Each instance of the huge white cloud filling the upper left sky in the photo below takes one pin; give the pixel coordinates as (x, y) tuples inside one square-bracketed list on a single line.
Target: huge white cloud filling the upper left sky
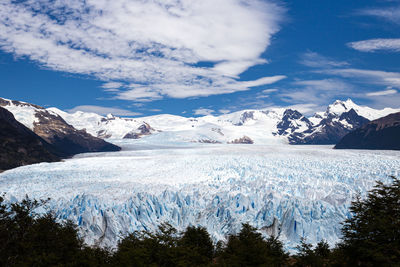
[(155, 44)]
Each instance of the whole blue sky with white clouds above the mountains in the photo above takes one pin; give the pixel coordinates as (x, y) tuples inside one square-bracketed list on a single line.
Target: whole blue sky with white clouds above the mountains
[(195, 58)]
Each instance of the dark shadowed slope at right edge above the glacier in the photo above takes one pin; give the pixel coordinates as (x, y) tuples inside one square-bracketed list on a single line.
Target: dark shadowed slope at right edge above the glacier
[(383, 133)]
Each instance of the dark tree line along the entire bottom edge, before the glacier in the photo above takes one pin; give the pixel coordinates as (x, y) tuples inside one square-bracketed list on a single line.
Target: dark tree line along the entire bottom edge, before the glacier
[(370, 238)]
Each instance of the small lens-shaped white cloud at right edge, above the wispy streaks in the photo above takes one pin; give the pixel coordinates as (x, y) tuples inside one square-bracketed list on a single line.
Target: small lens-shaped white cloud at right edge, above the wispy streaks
[(376, 44)]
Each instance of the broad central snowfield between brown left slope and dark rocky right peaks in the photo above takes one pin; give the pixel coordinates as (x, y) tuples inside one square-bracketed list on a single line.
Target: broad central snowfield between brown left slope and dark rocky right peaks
[(221, 129)]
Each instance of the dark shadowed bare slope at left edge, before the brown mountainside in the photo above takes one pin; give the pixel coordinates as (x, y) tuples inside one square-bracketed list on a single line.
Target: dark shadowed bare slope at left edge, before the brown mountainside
[(20, 146)]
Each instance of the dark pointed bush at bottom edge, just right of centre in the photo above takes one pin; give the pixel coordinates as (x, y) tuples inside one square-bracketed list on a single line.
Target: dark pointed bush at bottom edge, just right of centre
[(249, 248)]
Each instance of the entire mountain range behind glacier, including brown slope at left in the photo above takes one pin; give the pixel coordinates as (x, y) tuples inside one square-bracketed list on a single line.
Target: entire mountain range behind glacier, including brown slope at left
[(266, 126)]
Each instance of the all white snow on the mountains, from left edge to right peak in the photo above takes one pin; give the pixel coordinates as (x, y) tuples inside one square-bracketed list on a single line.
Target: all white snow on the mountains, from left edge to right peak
[(258, 125)]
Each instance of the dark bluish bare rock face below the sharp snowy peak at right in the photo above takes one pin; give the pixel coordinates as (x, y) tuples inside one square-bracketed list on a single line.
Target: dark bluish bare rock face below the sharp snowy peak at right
[(330, 129)]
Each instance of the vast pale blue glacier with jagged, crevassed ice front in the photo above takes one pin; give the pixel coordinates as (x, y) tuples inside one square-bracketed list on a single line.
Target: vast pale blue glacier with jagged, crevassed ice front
[(286, 191)]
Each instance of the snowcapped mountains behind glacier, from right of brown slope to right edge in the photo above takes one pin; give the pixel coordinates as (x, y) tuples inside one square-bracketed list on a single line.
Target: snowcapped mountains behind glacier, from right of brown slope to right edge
[(276, 125)]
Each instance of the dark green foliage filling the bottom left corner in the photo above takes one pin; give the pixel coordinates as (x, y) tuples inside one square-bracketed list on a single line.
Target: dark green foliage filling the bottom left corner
[(29, 239)]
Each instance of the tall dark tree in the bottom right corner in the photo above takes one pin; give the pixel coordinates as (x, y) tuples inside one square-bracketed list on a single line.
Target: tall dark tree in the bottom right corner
[(371, 237)]
